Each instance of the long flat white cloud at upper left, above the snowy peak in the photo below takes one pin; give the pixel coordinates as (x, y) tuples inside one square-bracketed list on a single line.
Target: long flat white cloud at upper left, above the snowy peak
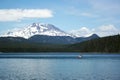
[(18, 14)]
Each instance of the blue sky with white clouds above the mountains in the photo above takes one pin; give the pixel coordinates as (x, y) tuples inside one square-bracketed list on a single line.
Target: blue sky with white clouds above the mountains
[(82, 16)]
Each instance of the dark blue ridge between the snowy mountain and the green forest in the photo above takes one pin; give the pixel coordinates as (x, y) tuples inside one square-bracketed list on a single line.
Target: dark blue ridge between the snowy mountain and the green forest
[(49, 39)]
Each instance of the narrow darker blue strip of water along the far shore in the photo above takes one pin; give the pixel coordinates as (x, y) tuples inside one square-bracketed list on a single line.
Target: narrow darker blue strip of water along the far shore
[(58, 55)]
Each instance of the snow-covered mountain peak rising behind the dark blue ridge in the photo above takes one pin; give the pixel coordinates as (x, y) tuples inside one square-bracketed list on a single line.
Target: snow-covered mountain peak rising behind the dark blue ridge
[(36, 29)]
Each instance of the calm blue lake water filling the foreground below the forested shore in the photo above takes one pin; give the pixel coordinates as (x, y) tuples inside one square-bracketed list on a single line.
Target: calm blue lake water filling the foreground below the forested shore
[(55, 66)]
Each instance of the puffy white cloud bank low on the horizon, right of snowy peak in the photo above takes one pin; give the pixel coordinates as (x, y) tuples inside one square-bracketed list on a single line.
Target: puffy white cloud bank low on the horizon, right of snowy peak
[(104, 30)]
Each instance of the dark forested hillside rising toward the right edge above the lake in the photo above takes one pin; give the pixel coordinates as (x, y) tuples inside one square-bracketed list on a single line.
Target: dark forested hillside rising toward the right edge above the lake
[(105, 44)]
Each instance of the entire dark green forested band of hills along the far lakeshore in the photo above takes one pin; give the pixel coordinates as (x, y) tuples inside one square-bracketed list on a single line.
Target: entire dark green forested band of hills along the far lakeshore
[(105, 44)]
